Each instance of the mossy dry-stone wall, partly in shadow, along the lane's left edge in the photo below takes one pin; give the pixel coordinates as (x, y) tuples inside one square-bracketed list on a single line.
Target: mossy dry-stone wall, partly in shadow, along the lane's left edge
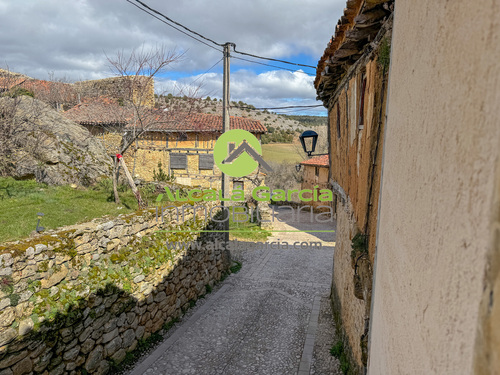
[(75, 300)]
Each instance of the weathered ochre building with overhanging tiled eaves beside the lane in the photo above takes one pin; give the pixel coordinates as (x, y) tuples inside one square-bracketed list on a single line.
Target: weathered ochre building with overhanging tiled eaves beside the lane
[(352, 83)]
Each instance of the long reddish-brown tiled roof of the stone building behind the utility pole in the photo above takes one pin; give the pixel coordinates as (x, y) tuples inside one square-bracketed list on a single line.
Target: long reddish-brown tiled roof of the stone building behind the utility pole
[(106, 111)]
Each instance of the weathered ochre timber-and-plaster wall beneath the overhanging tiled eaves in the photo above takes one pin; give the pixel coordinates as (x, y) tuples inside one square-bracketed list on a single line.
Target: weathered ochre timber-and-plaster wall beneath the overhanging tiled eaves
[(356, 134)]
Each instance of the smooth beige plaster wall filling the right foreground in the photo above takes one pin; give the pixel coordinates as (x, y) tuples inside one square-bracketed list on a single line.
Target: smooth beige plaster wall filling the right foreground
[(438, 211)]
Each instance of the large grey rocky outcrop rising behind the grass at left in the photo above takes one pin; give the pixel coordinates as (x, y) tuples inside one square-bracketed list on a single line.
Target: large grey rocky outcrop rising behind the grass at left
[(43, 144)]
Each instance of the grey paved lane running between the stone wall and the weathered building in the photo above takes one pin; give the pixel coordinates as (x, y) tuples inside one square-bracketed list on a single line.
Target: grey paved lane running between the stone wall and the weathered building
[(262, 320)]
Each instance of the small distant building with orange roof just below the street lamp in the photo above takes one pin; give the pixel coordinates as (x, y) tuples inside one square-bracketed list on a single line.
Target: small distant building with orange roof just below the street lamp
[(315, 176)]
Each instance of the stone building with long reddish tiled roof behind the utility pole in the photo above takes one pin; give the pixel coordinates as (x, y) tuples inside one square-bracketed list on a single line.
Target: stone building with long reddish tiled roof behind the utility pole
[(182, 142)]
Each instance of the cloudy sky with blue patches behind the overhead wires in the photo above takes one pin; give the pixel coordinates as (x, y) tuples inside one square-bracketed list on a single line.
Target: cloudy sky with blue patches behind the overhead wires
[(71, 40)]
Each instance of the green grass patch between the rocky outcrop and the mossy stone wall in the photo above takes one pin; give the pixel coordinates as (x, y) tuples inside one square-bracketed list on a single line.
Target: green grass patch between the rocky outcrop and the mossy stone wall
[(20, 201)]
